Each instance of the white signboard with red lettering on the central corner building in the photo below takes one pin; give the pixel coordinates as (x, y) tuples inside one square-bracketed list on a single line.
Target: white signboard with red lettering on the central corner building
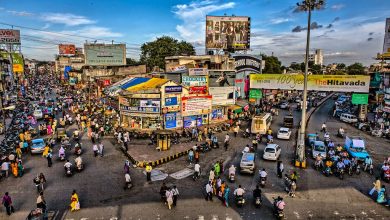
[(196, 105)]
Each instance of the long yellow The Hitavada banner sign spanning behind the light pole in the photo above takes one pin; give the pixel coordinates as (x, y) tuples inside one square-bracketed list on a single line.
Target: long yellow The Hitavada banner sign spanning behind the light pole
[(334, 83)]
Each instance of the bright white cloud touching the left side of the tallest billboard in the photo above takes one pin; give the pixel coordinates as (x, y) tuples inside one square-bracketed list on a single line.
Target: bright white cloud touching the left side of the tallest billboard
[(193, 17)]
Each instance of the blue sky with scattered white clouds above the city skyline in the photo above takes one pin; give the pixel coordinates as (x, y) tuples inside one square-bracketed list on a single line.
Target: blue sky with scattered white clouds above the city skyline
[(347, 31)]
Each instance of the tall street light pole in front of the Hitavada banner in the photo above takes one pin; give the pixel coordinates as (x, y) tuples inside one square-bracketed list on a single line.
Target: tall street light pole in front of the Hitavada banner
[(306, 5)]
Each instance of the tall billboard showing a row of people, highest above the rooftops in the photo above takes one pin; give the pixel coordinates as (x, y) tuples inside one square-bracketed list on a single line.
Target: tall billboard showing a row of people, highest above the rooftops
[(227, 32)]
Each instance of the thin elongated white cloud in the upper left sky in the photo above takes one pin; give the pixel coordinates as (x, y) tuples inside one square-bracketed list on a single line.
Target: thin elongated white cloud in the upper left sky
[(66, 19)]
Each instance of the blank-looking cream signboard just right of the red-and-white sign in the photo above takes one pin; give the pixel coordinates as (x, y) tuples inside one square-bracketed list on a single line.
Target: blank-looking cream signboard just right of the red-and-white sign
[(222, 95)]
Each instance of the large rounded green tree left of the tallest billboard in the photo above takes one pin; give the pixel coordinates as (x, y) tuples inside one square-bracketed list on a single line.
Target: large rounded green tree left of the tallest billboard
[(154, 53)]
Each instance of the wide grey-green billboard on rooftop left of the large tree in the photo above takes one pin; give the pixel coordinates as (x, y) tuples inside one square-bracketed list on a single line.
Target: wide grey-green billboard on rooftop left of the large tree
[(105, 54)]
